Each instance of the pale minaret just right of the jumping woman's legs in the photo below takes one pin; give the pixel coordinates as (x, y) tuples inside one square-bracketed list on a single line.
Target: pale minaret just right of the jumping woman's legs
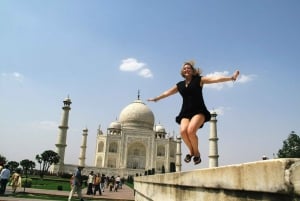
[(213, 142)]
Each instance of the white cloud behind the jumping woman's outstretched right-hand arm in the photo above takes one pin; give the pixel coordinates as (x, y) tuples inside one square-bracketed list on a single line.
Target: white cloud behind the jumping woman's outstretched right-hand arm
[(219, 86)]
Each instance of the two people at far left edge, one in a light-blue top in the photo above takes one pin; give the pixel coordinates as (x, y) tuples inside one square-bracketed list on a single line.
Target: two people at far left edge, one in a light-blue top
[(14, 180)]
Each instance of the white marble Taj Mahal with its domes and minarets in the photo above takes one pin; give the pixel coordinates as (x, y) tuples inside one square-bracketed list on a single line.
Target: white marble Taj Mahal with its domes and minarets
[(131, 145)]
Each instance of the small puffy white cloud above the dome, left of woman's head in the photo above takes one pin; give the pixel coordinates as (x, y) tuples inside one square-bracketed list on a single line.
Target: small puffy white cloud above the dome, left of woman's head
[(133, 65)]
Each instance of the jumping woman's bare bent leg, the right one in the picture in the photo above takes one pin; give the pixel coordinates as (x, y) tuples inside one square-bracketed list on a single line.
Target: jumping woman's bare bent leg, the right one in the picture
[(193, 126)]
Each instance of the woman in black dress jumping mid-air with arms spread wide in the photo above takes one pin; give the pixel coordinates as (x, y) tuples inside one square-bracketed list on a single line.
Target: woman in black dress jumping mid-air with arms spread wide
[(193, 113)]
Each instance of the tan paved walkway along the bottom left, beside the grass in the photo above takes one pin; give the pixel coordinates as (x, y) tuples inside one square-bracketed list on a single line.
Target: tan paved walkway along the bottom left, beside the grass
[(124, 194)]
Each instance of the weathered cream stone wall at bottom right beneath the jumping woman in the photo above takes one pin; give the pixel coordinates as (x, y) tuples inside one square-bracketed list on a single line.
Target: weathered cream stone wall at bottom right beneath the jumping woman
[(267, 180)]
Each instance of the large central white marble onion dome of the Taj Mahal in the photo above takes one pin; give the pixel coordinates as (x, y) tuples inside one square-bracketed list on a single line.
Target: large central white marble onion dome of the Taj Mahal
[(137, 114)]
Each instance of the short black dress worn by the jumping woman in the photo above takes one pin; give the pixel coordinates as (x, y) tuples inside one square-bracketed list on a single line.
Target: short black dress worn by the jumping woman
[(192, 100)]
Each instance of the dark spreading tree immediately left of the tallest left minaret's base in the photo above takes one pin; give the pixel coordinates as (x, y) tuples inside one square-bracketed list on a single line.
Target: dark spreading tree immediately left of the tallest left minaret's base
[(46, 159)]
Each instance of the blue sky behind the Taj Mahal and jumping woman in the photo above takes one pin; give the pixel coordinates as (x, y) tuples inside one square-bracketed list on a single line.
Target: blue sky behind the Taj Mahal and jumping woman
[(100, 53)]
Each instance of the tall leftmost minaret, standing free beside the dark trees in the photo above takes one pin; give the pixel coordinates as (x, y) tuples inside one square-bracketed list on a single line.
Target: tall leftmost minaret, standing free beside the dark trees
[(62, 136)]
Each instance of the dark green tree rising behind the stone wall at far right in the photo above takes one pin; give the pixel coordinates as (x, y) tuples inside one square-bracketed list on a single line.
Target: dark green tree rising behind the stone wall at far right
[(291, 147)]
